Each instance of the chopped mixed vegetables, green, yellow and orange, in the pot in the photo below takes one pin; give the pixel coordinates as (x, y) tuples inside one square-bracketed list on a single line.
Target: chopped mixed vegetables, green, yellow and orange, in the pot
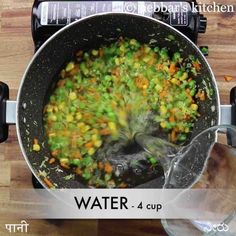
[(99, 92)]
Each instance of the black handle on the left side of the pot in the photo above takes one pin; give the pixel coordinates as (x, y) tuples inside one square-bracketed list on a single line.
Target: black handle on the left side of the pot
[(4, 96)]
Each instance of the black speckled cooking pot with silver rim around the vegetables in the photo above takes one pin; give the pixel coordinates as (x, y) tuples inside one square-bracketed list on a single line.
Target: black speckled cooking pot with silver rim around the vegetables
[(87, 33)]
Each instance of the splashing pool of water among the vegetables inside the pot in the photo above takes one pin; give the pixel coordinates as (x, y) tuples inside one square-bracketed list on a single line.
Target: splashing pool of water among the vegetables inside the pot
[(131, 163)]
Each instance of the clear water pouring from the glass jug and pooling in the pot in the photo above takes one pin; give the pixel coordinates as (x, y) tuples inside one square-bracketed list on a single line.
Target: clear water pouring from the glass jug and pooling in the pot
[(138, 156)]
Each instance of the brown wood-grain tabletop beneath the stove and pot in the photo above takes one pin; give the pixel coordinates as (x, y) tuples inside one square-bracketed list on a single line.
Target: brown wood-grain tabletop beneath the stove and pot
[(16, 50)]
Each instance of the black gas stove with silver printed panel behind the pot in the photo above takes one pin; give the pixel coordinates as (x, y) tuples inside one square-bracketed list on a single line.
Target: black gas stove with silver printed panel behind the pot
[(50, 16)]
